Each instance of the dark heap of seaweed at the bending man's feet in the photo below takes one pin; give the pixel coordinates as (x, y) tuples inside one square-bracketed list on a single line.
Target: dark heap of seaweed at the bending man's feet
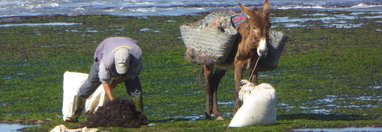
[(117, 113)]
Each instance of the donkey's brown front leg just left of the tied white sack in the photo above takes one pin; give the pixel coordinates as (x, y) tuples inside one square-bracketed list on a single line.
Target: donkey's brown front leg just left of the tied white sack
[(239, 67)]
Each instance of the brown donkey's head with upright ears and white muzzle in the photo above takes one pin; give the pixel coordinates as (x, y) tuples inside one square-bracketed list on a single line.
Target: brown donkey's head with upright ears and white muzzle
[(257, 29)]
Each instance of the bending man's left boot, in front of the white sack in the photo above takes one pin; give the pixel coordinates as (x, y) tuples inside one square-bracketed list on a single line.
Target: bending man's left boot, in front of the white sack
[(78, 107)]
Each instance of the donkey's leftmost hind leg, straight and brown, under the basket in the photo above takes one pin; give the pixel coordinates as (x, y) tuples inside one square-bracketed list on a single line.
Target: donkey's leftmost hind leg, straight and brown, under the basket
[(208, 70)]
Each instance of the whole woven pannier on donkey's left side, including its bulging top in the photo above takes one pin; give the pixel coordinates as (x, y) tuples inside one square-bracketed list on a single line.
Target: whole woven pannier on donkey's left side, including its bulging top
[(209, 40)]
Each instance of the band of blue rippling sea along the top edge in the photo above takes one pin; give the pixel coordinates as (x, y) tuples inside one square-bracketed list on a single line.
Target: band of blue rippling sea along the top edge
[(9, 8)]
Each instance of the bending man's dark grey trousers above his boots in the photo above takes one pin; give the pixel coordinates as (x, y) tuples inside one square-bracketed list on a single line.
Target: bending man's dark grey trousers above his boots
[(133, 86)]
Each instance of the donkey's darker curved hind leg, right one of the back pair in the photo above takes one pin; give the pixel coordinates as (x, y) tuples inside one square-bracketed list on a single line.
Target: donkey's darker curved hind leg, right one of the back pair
[(218, 75)]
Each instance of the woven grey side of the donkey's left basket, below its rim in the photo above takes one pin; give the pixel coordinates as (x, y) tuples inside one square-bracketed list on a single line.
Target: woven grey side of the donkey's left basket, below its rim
[(208, 45)]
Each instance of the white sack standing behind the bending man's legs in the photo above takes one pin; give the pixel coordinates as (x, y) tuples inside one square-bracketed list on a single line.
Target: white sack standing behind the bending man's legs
[(71, 86)]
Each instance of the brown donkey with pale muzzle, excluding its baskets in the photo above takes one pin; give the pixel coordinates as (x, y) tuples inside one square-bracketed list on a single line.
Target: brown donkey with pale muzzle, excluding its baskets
[(249, 46)]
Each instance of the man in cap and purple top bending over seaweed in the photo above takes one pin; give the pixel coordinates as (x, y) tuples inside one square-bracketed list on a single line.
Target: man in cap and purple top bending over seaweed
[(116, 60)]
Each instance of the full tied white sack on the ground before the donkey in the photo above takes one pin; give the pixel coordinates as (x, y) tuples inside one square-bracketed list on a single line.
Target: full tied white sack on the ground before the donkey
[(259, 105)]
